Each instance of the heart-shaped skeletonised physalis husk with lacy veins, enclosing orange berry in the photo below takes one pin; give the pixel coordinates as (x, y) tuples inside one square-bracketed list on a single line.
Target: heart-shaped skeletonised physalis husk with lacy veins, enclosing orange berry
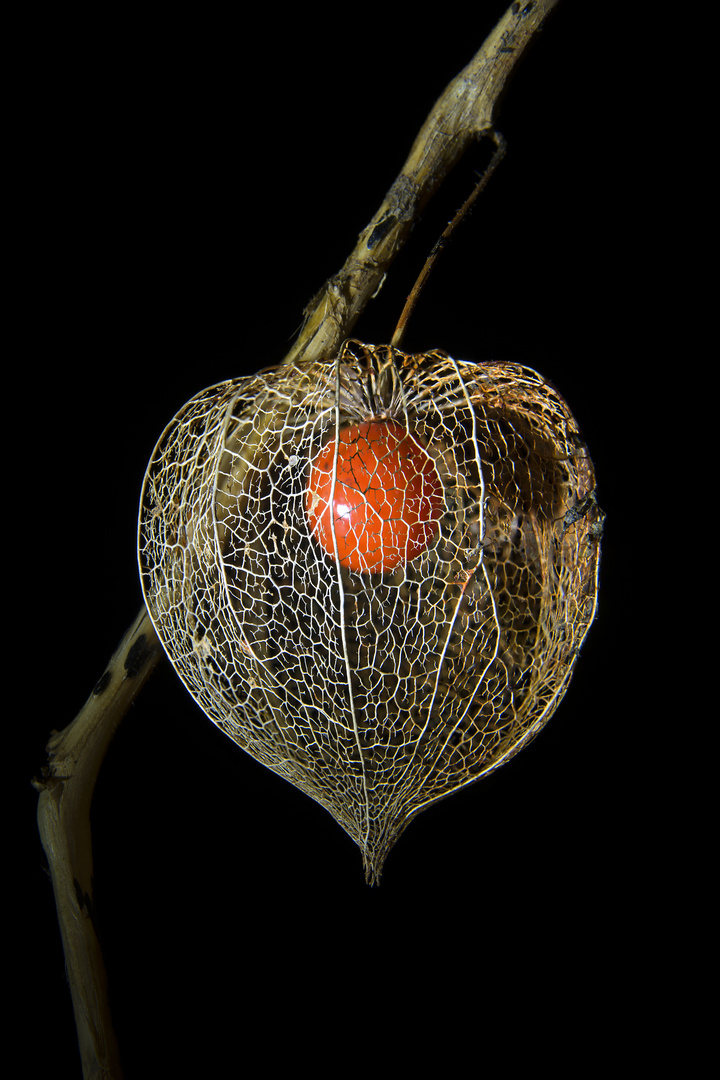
[(374, 573)]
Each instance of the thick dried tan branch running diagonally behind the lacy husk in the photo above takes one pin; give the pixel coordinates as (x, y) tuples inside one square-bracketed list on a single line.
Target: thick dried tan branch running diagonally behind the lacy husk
[(465, 113)]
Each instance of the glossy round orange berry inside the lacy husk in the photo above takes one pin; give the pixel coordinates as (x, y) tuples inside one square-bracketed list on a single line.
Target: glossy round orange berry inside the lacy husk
[(388, 497)]
